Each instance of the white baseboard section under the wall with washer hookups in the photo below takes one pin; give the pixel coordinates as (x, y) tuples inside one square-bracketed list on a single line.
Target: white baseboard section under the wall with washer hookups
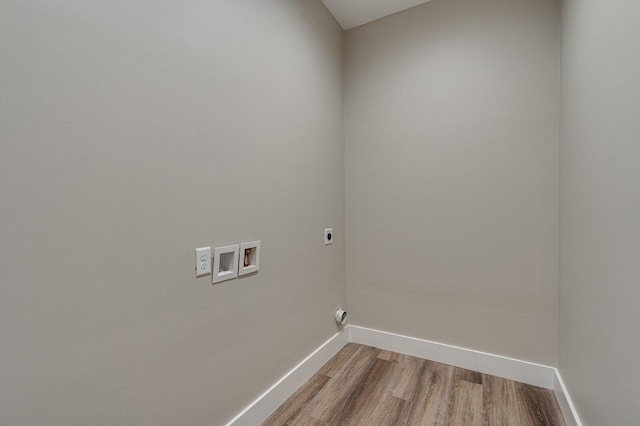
[(276, 395)]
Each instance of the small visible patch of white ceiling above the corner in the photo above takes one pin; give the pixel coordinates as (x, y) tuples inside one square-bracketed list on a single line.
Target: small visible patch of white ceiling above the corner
[(351, 13)]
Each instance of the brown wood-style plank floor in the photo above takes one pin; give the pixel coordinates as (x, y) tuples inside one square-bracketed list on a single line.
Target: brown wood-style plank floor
[(368, 386)]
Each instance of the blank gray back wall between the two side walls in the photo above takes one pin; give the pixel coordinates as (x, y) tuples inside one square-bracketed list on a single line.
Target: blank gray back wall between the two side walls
[(452, 174)]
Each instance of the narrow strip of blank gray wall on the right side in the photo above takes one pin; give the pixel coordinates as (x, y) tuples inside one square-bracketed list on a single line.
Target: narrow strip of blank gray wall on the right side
[(600, 209)]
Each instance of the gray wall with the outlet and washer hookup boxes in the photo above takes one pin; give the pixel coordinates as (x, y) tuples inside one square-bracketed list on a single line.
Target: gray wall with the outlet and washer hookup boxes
[(132, 133)]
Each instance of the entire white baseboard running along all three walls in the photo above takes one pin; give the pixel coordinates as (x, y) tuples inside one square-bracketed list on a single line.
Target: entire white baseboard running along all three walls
[(497, 365)]
